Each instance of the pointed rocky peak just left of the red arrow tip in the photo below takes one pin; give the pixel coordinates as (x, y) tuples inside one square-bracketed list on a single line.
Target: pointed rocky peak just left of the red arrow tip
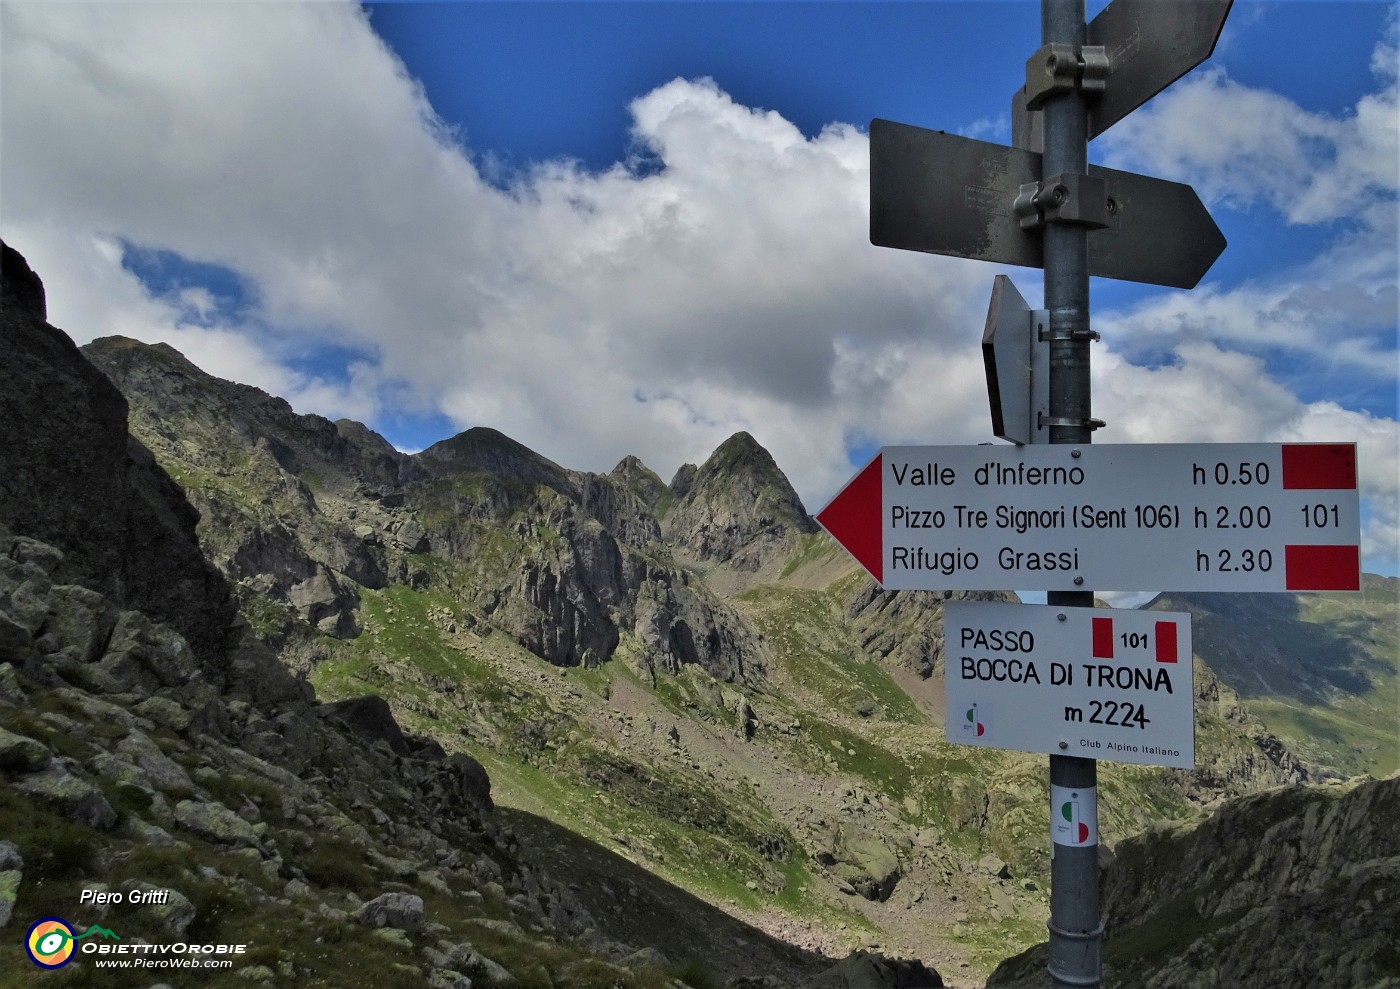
[(737, 509)]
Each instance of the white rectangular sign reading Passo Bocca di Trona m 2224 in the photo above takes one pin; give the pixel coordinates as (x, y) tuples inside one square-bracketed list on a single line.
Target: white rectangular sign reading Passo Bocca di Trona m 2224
[(1072, 682)]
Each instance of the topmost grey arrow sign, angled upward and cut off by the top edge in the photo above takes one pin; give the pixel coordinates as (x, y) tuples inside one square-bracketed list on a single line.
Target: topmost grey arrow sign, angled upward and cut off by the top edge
[(1150, 46)]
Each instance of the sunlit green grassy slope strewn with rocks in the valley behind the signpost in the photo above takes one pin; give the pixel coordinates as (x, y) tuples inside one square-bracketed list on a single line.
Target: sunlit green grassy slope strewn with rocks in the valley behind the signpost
[(590, 752)]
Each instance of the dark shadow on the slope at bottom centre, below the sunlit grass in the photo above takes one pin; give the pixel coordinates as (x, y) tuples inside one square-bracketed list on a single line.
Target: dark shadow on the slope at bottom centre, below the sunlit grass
[(639, 908)]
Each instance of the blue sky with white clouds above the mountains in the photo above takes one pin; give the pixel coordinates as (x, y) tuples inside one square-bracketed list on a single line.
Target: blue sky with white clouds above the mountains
[(618, 229)]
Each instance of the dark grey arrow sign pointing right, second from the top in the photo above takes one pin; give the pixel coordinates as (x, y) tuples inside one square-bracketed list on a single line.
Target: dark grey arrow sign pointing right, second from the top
[(943, 194)]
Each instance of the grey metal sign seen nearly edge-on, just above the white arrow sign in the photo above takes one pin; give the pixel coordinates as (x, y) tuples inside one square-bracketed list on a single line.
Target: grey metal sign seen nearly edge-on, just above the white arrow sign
[(1017, 364)]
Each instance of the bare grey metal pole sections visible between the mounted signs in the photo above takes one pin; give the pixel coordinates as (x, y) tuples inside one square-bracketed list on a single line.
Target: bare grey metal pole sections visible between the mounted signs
[(1076, 931)]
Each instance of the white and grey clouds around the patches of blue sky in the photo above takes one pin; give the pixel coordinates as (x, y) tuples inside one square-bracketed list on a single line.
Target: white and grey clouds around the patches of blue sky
[(589, 314)]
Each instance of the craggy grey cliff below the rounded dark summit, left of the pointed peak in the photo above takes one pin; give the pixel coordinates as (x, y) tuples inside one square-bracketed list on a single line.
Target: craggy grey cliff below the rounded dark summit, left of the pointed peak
[(568, 561)]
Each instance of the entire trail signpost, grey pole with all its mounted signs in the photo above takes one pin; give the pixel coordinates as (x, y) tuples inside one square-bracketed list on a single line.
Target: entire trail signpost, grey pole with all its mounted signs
[(1070, 516)]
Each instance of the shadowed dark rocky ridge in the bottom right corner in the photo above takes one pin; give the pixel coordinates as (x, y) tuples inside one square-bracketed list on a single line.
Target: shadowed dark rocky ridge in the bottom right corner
[(1289, 887)]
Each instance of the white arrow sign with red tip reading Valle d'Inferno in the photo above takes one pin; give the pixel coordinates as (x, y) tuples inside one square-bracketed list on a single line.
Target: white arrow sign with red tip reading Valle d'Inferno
[(1184, 518)]
